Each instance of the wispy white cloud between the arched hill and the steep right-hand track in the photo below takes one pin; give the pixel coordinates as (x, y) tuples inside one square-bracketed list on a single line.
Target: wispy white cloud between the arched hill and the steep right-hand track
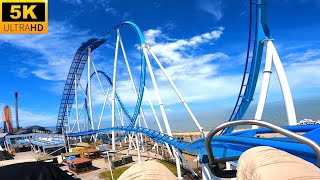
[(195, 74)]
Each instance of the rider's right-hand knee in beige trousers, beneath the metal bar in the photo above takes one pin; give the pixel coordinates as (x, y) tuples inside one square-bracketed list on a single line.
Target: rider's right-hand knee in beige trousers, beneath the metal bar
[(267, 163)]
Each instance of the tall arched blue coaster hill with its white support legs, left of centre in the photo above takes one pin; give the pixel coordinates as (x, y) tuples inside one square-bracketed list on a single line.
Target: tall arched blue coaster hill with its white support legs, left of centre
[(77, 117)]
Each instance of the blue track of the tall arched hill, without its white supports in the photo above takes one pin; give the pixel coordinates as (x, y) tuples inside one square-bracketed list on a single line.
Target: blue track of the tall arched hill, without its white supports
[(77, 67)]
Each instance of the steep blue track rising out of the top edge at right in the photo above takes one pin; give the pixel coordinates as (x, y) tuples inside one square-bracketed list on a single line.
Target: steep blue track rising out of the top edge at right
[(259, 29)]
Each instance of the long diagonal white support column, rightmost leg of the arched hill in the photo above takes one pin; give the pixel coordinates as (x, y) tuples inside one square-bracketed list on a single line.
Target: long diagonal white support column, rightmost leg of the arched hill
[(177, 92)]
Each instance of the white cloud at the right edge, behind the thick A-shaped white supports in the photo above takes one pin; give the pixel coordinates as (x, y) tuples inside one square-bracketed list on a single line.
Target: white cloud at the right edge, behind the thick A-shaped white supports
[(301, 68)]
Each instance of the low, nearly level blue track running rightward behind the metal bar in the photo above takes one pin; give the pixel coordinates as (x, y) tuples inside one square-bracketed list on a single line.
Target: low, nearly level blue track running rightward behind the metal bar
[(230, 145)]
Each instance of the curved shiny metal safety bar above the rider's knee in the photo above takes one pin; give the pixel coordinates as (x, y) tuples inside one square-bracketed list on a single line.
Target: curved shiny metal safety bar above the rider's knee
[(213, 164)]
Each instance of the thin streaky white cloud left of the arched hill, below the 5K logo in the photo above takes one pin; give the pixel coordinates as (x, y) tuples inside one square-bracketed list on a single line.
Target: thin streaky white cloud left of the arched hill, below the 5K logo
[(56, 50)]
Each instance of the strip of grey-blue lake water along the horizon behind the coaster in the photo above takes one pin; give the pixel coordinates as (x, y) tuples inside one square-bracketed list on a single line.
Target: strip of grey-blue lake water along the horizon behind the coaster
[(274, 113)]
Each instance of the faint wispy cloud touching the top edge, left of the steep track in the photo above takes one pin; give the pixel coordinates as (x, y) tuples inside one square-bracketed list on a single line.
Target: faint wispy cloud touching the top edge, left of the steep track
[(212, 7)]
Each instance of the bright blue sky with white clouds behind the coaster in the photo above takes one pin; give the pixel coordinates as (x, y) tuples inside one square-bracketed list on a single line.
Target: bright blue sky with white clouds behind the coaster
[(206, 70)]
